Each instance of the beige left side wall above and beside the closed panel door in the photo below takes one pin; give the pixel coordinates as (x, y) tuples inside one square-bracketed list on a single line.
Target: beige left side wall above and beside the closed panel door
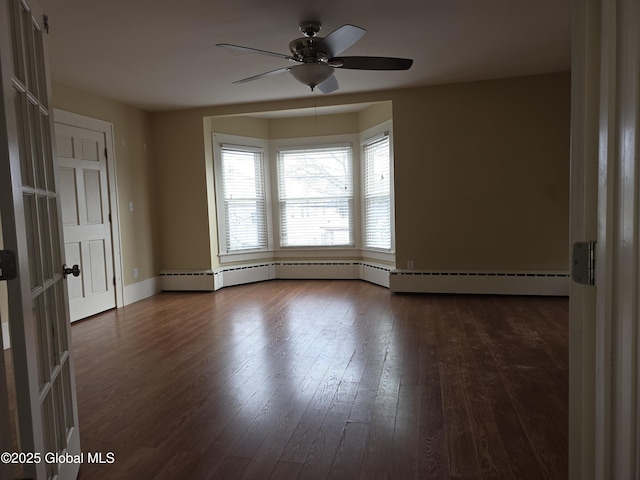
[(135, 167)]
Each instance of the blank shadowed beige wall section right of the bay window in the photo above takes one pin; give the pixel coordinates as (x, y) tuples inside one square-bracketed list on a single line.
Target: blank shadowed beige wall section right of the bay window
[(482, 175)]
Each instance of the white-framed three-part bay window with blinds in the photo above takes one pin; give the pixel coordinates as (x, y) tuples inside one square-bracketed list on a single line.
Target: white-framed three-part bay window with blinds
[(297, 197)]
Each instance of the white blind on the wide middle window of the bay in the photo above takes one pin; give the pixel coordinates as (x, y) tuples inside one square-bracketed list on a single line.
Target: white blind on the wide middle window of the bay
[(315, 187)]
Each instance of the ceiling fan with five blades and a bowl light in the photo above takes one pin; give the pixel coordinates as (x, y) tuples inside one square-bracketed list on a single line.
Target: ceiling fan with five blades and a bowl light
[(318, 57)]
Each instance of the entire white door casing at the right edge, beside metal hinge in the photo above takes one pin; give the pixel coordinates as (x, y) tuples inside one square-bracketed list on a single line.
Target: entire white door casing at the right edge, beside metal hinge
[(604, 334)]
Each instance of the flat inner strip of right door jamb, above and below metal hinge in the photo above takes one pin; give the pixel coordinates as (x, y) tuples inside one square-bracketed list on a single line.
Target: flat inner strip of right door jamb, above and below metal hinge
[(585, 90)]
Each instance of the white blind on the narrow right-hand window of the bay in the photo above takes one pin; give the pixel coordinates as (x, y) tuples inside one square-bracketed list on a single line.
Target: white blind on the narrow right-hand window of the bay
[(377, 192)]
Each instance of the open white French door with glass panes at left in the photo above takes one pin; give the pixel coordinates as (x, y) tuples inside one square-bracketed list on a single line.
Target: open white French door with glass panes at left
[(39, 325)]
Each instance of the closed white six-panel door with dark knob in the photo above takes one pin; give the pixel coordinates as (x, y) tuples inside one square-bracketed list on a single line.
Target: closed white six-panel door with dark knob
[(84, 196)]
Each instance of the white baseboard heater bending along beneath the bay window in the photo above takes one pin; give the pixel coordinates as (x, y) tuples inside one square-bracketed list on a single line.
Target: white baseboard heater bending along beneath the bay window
[(208, 280)]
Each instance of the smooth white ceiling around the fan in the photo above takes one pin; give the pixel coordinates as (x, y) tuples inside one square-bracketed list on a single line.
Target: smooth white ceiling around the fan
[(161, 54)]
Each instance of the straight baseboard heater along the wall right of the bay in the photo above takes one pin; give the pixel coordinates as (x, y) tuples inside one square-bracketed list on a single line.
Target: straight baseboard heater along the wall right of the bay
[(499, 283)]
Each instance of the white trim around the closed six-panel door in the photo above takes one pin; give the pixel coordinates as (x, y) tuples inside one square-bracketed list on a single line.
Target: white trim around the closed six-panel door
[(82, 121)]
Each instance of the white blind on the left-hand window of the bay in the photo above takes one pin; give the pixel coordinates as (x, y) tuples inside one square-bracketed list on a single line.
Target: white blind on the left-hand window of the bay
[(244, 198)]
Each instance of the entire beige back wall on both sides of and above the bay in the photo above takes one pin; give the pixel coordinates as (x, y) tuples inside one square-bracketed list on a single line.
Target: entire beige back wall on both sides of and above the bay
[(482, 174)]
